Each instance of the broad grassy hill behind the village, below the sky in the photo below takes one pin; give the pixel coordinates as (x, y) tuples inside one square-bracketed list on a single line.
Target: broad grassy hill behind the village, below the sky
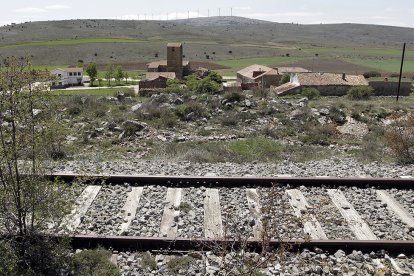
[(226, 40)]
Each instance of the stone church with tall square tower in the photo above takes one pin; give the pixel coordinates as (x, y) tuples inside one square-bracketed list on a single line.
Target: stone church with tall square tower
[(174, 62)]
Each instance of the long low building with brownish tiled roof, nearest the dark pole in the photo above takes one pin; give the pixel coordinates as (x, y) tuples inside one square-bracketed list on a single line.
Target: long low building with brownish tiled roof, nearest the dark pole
[(328, 84)]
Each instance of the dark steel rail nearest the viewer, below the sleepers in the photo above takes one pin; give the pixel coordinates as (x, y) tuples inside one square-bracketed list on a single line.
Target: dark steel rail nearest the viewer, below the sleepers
[(183, 244)]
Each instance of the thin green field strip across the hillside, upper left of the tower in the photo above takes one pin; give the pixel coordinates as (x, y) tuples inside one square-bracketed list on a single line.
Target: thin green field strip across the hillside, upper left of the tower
[(65, 42)]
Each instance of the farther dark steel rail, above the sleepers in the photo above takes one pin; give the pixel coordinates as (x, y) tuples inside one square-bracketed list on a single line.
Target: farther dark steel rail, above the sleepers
[(213, 181)]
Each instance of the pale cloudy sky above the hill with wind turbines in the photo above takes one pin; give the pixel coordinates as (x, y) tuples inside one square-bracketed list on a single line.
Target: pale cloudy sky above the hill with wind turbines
[(395, 13)]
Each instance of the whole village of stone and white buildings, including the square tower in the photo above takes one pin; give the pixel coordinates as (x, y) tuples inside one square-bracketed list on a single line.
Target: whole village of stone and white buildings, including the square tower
[(279, 80)]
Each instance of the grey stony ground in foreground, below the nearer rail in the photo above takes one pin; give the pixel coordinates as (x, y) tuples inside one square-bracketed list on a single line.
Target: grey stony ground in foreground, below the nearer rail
[(307, 262)]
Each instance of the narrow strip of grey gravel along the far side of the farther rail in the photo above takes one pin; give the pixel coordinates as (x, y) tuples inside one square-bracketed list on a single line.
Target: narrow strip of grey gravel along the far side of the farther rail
[(328, 167)]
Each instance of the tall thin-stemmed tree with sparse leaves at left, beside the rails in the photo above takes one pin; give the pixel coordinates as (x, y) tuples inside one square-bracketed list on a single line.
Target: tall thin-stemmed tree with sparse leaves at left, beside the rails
[(29, 202)]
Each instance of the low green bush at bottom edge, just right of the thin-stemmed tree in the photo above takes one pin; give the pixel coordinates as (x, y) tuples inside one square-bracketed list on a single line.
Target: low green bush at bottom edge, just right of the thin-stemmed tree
[(94, 262)]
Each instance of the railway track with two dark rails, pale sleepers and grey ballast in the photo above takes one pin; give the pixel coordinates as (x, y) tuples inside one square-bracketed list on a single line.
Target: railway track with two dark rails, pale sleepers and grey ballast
[(170, 214)]
